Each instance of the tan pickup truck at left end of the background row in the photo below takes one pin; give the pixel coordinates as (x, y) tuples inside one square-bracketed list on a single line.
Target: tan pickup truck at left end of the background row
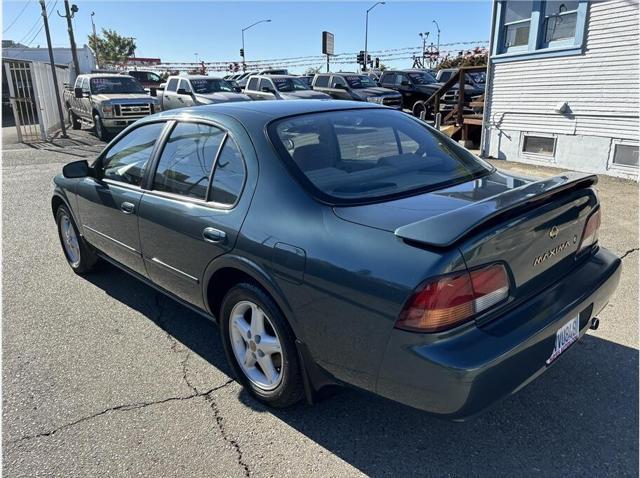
[(107, 102)]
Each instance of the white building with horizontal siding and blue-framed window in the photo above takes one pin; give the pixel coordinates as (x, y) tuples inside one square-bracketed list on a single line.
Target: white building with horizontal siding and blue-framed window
[(563, 85)]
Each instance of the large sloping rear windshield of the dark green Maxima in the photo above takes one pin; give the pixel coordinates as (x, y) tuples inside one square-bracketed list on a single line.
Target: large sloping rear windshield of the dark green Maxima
[(365, 155)]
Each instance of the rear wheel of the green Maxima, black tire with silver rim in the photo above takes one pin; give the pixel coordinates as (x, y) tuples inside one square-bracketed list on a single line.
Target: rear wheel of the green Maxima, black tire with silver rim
[(260, 346)]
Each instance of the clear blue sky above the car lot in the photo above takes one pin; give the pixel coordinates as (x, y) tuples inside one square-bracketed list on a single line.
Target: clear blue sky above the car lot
[(176, 30)]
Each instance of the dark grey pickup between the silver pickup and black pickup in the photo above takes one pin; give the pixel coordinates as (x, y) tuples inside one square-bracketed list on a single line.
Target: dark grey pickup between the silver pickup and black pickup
[(356, 87)]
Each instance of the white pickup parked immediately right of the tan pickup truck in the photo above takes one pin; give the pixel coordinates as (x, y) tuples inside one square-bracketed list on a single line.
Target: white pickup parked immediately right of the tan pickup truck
[(194, 90)]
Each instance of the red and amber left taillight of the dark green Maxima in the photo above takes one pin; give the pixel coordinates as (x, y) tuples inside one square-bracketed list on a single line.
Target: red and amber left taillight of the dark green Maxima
[(453, 299)]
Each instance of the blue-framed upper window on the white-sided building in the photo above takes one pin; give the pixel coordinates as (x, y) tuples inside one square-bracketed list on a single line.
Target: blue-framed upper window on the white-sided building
[(538, 28)]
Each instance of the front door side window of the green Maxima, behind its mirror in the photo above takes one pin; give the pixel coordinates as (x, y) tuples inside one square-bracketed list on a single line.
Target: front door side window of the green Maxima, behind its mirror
[(126, 160)]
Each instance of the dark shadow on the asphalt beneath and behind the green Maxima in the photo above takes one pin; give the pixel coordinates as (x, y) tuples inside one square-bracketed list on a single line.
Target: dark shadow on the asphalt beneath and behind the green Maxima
[(578, 419)]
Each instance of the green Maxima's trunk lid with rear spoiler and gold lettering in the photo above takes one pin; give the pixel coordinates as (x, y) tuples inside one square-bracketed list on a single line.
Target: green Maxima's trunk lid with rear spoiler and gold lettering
[(533, 227)]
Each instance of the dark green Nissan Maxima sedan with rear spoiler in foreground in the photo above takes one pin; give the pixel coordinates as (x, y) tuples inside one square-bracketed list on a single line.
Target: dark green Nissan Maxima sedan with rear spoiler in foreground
[(370, 249)]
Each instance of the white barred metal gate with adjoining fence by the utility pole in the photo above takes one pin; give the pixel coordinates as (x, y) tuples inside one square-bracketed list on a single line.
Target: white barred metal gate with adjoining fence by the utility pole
[(33, 100)]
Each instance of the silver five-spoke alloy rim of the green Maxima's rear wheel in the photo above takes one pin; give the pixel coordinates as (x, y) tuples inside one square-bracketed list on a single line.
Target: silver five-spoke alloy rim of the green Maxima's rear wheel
[(256, 345)]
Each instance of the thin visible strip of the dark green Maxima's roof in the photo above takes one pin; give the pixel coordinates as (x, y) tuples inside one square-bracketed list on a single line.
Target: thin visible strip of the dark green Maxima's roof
[(266, 110)]
